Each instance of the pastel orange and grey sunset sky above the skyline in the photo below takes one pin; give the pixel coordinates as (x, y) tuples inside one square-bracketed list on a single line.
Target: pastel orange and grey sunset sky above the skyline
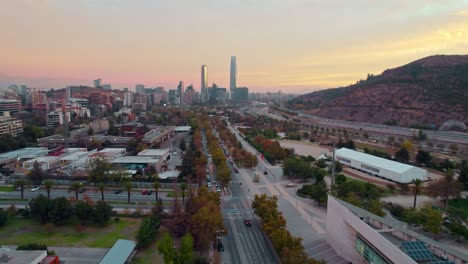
[(295, 46)]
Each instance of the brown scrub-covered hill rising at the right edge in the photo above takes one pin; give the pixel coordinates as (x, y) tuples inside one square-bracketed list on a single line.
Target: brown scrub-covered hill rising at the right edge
[(426, 92)]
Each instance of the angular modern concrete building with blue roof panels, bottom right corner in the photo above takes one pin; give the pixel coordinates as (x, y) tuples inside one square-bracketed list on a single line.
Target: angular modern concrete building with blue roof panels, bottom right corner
[(359, 236)]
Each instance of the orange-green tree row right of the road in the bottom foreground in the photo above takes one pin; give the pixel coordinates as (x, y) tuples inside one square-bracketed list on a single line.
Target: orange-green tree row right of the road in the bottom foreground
[(289, 248)]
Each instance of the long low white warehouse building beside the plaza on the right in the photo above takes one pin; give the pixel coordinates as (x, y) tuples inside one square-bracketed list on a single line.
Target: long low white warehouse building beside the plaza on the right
[(380, 167)]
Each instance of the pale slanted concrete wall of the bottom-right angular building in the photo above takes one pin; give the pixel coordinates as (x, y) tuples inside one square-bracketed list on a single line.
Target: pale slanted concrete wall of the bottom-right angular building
[(342, 228)]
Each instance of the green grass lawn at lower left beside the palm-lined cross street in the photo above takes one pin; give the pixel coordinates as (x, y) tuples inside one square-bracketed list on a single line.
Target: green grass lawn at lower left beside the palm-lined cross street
[(21, 231)]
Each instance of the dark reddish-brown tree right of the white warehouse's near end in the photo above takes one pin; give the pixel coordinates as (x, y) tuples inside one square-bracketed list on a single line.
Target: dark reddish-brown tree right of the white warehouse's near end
[(445, 188)]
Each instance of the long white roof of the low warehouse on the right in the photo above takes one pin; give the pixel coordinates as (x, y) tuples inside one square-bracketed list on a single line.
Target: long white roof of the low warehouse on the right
[(382, 163)]
